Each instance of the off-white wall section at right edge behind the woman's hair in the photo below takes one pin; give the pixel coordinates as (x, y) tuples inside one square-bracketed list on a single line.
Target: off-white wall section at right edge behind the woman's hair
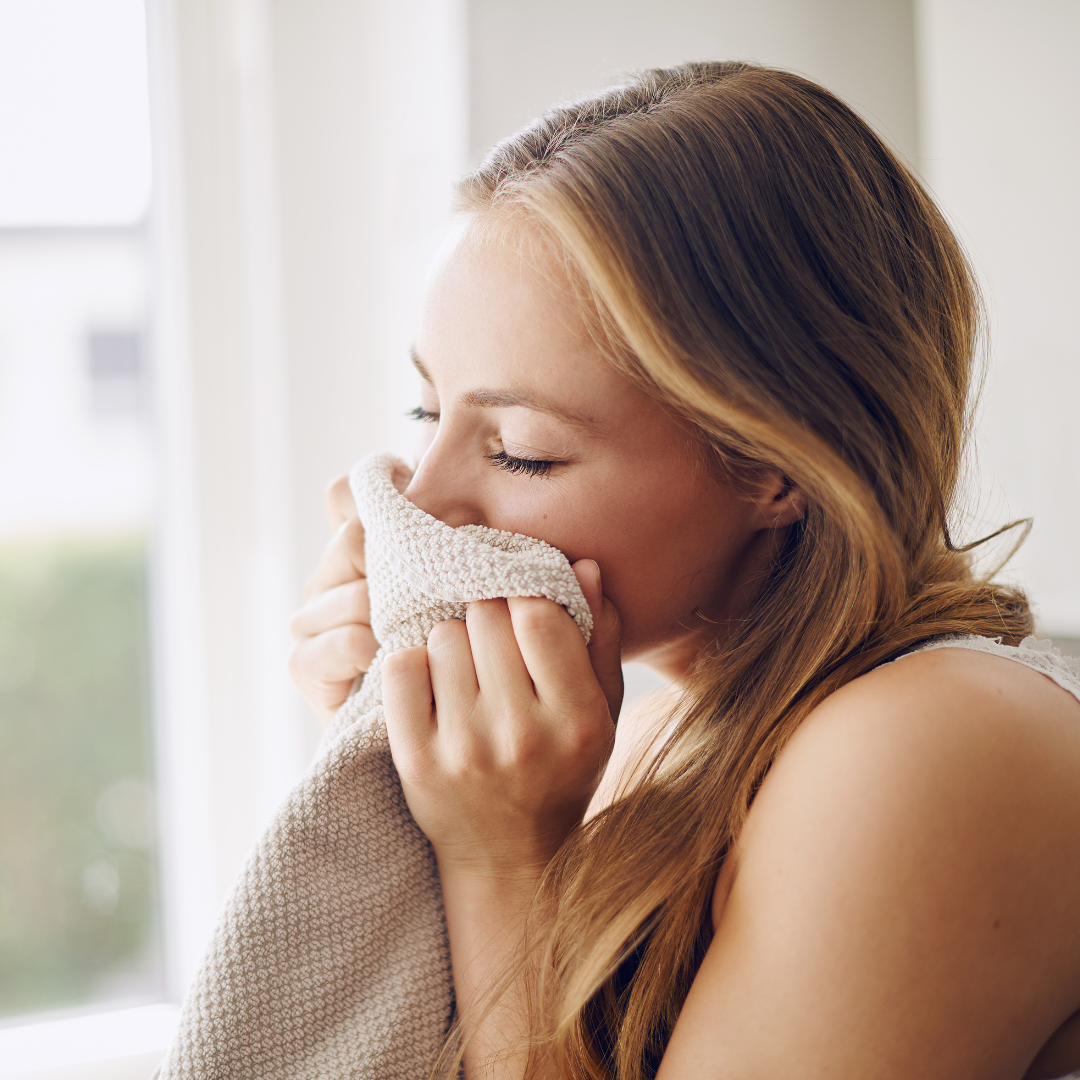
[(1002, 151)]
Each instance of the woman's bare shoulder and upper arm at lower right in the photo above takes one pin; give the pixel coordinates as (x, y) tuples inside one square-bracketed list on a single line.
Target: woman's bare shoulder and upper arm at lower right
[(907, 887)]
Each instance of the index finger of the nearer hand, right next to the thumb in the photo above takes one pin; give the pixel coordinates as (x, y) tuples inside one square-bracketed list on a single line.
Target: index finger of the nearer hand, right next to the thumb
[(553, 651)]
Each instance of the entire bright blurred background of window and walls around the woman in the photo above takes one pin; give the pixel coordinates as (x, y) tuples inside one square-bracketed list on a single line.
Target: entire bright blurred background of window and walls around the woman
[(215, 219)]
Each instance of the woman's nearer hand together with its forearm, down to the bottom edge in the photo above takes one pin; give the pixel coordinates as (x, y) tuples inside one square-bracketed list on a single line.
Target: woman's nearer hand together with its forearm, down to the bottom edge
[(501, 728)]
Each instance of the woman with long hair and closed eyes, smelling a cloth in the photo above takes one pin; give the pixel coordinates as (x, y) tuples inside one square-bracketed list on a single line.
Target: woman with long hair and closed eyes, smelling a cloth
[(707, 335)]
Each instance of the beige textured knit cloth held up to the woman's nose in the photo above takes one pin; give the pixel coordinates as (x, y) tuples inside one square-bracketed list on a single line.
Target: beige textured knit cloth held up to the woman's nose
[(331, 958)]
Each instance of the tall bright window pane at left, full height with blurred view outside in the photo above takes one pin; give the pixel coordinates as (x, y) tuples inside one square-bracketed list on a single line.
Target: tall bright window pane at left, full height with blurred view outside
[(79, 921)]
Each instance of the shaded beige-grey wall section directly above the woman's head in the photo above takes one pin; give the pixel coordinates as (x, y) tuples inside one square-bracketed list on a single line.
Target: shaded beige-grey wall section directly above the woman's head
[(525, 56)]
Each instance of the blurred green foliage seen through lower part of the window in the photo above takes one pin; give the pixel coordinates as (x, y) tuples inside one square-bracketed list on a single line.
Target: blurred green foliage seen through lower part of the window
[(78, 876)]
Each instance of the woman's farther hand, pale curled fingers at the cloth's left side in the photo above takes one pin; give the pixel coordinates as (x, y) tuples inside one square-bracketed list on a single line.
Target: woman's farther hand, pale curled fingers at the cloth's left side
[(332, 633)]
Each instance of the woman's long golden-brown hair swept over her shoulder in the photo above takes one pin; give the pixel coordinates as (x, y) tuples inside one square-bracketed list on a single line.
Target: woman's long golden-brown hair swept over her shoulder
[(759, 261)]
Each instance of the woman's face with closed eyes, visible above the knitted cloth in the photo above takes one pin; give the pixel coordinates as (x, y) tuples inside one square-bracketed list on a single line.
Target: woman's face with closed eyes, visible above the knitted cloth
[(533, 431)]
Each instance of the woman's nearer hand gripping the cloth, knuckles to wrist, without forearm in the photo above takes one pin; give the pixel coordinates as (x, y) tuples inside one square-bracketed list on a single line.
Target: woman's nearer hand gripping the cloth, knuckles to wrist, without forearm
[(501, 728)]
